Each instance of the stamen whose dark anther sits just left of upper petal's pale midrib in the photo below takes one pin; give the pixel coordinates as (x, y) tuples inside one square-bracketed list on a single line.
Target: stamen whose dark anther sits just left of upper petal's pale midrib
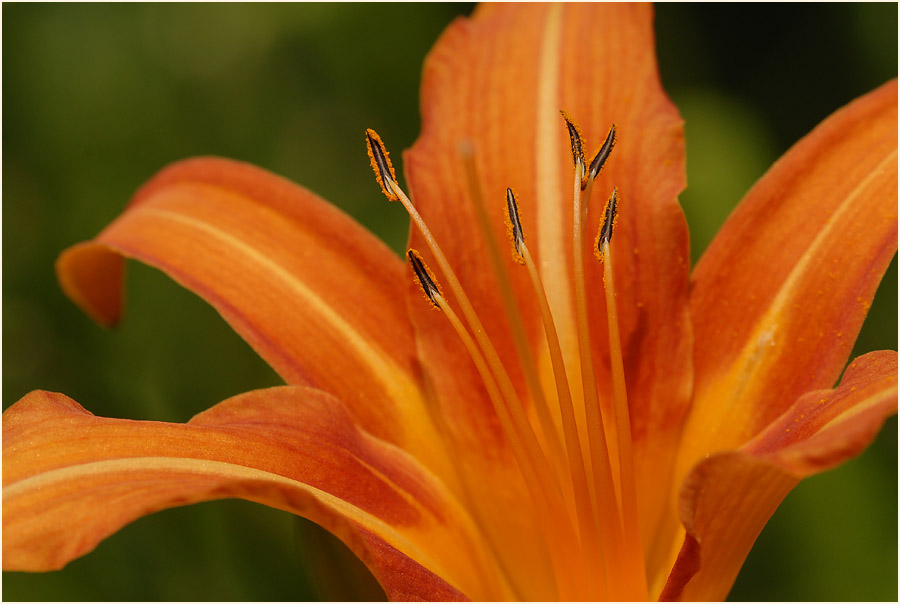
[(584, 506)]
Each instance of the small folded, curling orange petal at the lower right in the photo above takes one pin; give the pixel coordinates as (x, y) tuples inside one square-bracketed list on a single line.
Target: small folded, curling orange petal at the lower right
[(727, 498)]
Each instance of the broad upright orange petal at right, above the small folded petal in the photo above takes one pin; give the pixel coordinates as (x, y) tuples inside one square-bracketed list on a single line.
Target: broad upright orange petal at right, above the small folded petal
[(781, 293)]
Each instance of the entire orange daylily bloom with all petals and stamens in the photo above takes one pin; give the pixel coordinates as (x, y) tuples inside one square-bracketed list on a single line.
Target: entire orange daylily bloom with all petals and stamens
[(574, 428)]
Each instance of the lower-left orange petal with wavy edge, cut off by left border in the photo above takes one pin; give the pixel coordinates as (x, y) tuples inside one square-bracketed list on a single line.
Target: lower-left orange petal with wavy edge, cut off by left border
[(71, 479)]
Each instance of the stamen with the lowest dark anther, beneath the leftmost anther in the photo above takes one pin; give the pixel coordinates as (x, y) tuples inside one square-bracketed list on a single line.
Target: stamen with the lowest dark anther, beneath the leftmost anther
[(563, 561)]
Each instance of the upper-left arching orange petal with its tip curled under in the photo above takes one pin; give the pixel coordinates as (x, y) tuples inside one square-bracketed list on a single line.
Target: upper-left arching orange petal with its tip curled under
[(315, 294)]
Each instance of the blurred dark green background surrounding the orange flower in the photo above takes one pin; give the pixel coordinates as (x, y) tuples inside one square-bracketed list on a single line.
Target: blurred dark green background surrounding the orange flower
[(96, 98)]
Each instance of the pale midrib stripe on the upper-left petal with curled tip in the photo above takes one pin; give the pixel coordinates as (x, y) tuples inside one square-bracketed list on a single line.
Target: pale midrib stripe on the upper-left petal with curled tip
[(394, 380)]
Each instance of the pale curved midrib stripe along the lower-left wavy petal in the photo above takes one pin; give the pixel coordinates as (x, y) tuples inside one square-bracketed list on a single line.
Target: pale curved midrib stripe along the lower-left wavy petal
[(225, 471)]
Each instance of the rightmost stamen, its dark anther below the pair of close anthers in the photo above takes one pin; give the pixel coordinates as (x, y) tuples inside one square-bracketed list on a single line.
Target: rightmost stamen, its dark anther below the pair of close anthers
[(620, 398)]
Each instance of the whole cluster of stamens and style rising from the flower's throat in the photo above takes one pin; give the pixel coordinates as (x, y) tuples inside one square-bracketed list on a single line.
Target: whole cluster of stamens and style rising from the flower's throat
[(588, 496)]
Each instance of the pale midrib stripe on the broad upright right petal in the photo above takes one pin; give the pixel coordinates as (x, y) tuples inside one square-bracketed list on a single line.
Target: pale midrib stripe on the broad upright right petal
[(754, 358)]
